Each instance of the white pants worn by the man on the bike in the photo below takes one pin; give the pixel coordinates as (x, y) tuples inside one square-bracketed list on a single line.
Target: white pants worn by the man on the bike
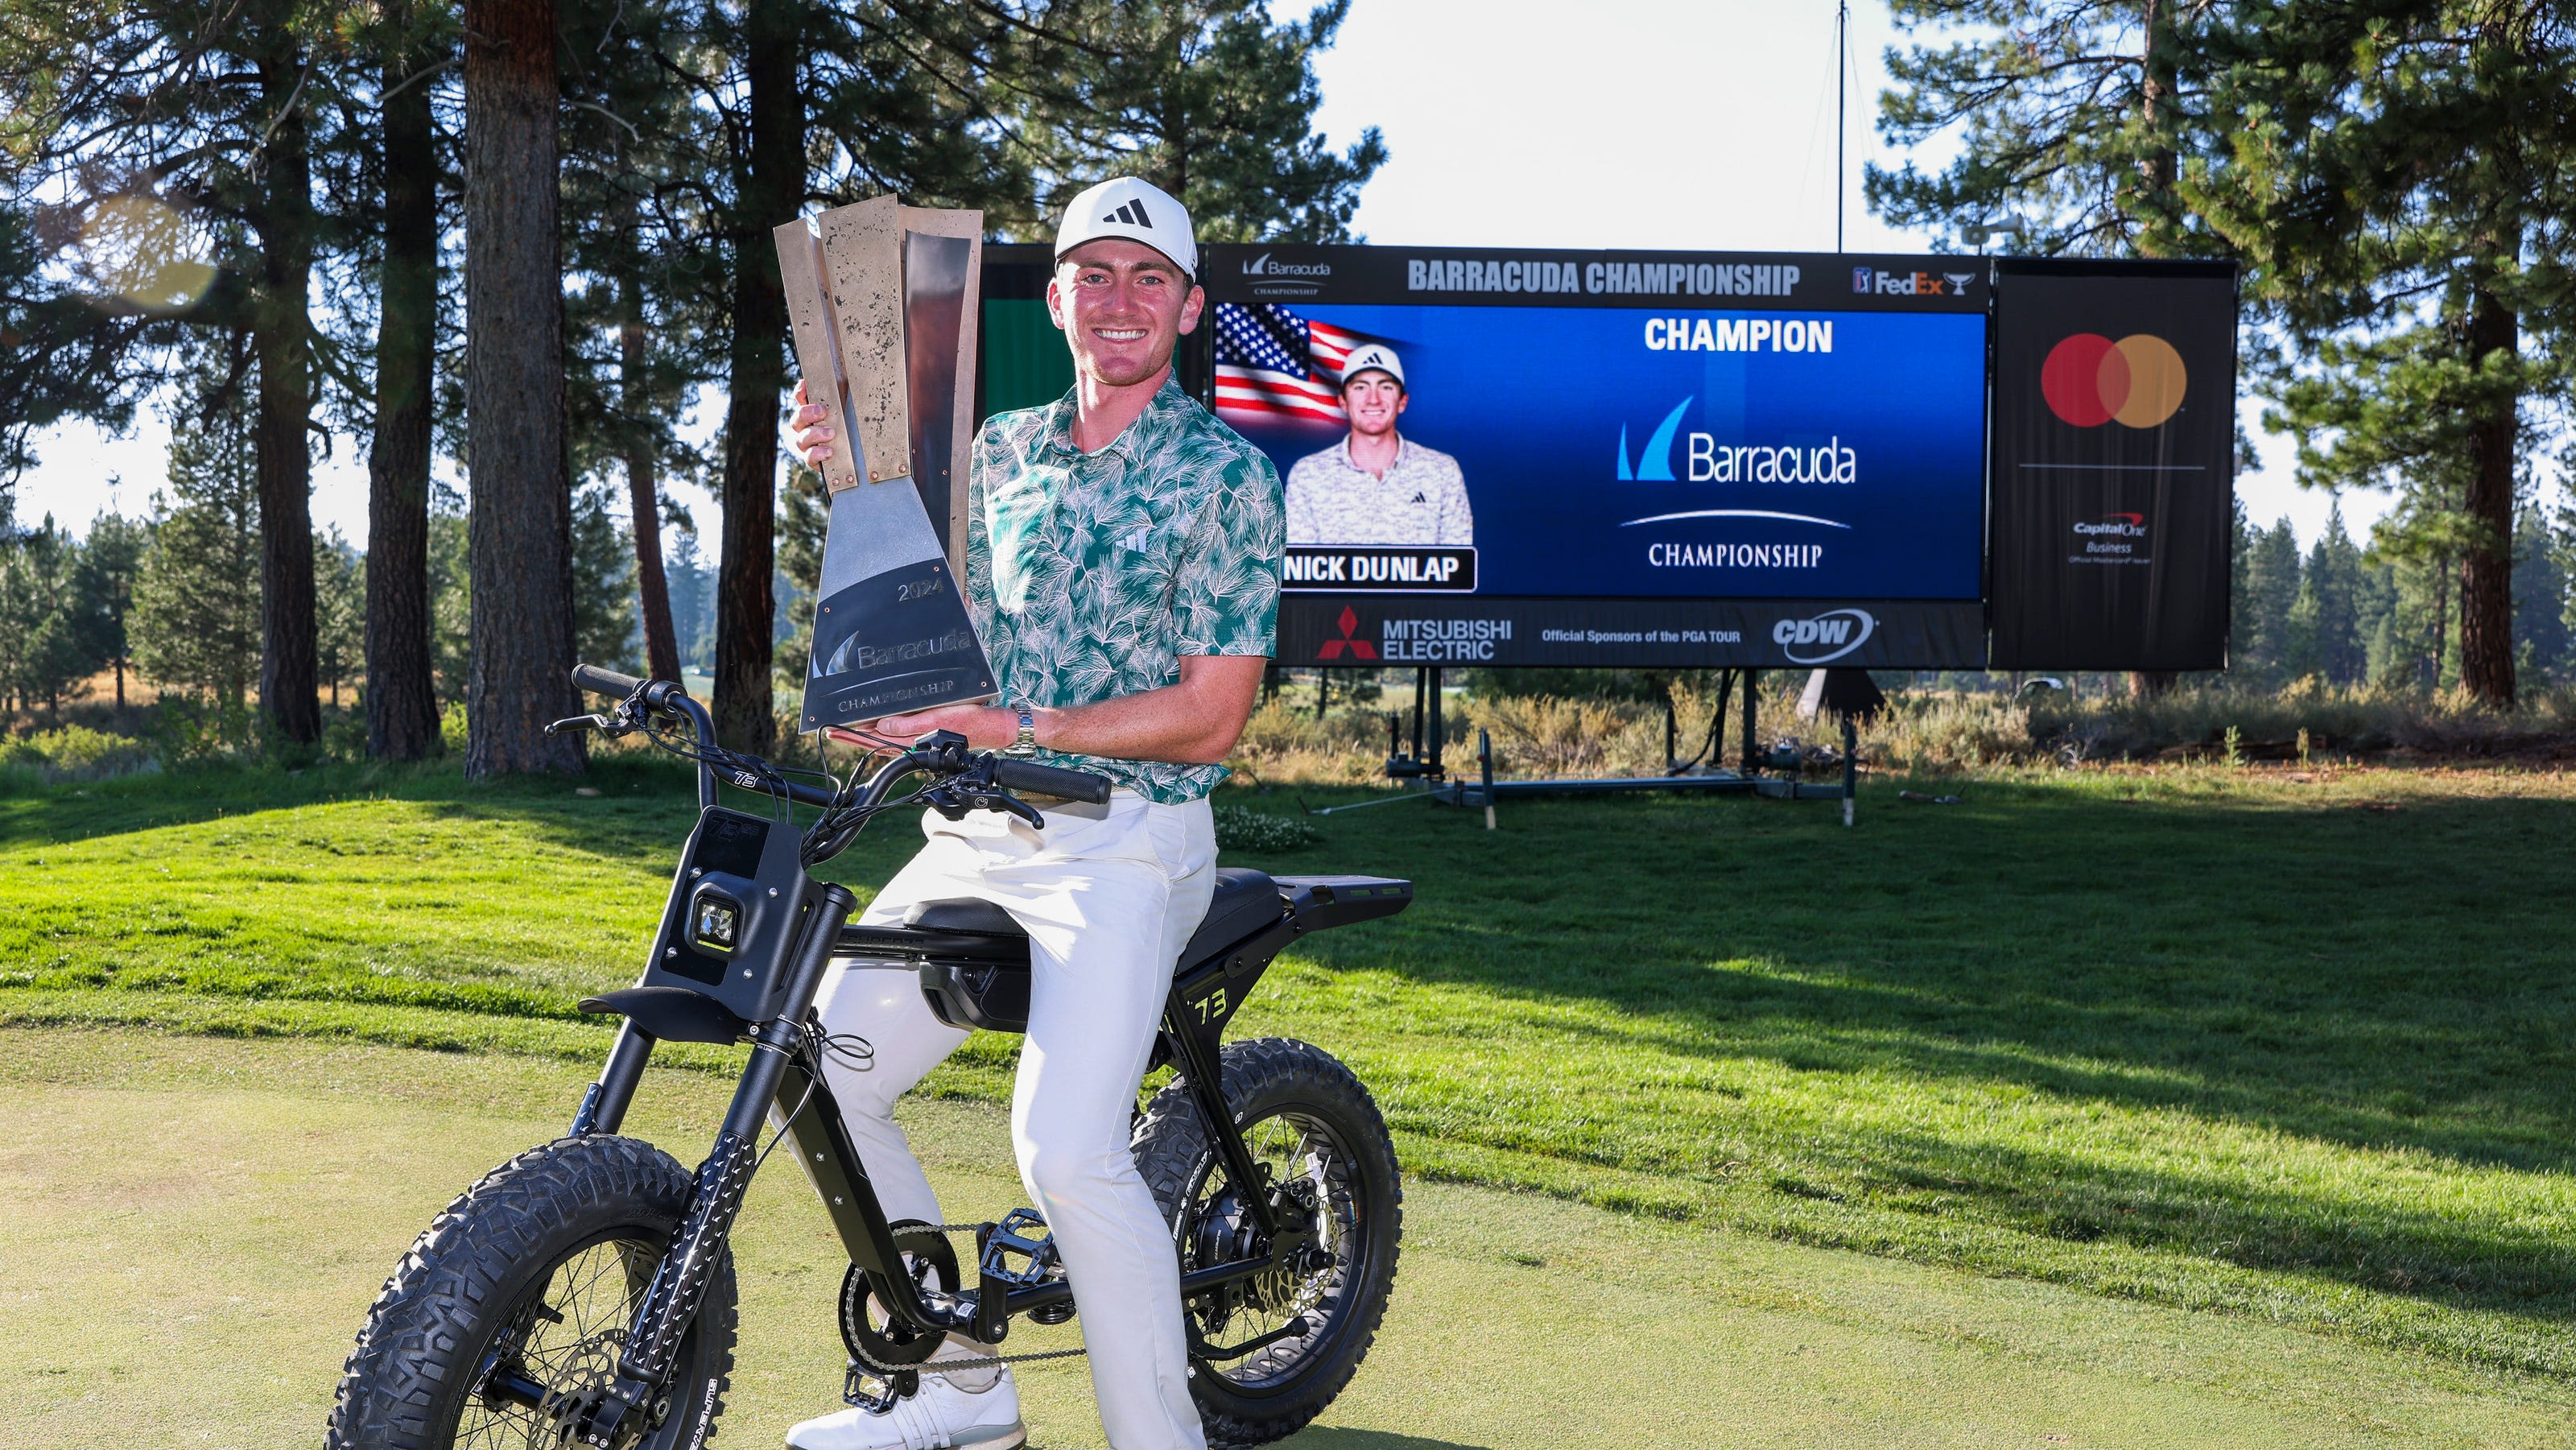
[(1109, 895)]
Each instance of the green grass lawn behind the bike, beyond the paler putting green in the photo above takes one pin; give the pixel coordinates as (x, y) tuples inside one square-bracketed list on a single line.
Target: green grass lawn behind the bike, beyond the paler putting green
[(2291, 1050)]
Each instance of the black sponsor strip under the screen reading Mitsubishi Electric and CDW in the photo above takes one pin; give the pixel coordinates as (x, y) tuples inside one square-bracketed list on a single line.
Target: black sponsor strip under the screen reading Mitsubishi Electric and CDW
[(1632, 635)]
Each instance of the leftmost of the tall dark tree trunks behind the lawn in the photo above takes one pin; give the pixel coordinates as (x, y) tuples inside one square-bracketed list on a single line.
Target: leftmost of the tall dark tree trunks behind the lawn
[(285, 408)]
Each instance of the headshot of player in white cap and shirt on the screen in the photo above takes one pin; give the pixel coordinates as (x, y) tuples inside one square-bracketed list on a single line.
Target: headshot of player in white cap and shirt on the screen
[(1377, 485)]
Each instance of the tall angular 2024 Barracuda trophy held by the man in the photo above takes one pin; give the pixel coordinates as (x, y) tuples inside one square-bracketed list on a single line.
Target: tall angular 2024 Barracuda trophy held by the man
[(882, 303)]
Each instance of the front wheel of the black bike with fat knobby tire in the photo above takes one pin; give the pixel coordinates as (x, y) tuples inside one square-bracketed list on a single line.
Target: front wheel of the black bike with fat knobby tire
[(519, 1294)]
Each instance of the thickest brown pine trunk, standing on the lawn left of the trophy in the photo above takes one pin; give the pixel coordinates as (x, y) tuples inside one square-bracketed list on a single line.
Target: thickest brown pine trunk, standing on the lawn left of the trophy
[(522, 478)]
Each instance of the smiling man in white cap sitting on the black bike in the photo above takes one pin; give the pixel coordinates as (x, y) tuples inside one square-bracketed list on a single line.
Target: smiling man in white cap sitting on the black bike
[(1122, 563)]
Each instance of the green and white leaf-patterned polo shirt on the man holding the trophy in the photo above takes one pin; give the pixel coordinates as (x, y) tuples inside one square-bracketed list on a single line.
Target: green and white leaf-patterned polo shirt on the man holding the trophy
[(1094, 573)]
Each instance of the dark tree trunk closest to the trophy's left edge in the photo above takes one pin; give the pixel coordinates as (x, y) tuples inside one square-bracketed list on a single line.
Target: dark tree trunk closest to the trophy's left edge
[(772, 194)]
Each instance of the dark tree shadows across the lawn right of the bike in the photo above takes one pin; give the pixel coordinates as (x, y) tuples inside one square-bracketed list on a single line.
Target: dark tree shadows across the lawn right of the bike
[(2343, 972)]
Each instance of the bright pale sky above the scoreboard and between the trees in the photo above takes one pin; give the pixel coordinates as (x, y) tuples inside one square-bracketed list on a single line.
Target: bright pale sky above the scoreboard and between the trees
[(1701, 125)]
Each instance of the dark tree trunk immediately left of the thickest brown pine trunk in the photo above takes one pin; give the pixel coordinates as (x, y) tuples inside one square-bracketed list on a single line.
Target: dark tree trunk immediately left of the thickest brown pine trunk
[(401, 699)]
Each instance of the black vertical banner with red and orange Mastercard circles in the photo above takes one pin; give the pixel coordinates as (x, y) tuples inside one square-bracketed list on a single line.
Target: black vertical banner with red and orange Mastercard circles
[(2114, 465)]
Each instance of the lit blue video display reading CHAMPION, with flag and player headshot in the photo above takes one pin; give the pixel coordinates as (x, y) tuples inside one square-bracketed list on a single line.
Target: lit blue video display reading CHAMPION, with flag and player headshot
[(1614, 447)]
